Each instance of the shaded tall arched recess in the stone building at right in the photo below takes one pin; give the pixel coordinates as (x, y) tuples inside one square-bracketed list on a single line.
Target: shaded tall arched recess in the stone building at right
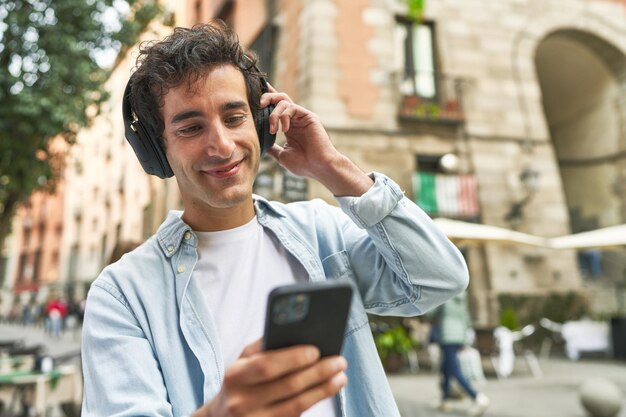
[(583, 78)]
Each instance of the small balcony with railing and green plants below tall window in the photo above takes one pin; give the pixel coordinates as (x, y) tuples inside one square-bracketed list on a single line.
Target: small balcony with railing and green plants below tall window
[(431, 98)]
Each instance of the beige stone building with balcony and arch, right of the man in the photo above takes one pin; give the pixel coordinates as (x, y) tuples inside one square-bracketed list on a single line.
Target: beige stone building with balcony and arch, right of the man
[(515, 89)]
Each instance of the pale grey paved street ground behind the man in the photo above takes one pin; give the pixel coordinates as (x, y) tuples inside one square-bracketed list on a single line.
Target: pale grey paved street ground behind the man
[(556, 394)]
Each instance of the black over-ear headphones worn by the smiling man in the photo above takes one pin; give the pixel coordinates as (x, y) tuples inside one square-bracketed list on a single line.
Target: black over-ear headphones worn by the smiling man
[(149, 148)]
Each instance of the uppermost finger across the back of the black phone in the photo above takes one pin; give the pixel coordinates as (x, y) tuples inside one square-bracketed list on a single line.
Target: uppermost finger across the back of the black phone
[(271, 365)]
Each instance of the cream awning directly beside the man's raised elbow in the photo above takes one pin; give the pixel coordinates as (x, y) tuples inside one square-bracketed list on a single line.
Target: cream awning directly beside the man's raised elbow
[(464, 232)]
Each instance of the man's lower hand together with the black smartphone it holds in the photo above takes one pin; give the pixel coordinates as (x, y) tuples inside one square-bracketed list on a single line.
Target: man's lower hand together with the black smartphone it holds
[(297, 363)]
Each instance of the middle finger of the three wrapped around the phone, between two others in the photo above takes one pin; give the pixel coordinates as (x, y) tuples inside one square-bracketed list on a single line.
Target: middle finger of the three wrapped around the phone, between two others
[(298, 382)]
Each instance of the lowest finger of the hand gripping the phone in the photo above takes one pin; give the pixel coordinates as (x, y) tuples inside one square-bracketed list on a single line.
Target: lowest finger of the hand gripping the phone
[(295, 406)]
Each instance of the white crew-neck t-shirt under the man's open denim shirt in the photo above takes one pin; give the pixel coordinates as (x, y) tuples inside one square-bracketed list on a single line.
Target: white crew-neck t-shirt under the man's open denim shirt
[(236, 271)]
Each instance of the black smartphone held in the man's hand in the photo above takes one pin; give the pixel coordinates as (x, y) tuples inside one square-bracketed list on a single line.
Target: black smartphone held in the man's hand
[(313, 313)]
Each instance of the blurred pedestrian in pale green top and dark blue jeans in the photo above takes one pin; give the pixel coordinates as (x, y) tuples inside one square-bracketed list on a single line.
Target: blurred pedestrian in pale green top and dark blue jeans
[(452, 322)]
